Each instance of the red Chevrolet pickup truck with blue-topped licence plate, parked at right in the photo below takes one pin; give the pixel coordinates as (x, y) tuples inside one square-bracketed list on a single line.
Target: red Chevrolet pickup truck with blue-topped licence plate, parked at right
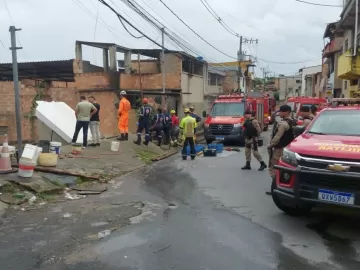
[(322, 165)]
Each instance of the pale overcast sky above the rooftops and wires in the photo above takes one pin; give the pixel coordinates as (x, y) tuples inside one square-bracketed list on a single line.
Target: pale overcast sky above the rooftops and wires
[(288, 31)]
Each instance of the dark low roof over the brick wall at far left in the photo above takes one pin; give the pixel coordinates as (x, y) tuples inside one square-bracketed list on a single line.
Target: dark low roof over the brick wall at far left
[(61, 70)]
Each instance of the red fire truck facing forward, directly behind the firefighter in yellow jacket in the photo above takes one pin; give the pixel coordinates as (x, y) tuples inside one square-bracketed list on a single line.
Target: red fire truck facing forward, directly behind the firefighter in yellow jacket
[(226, 117)]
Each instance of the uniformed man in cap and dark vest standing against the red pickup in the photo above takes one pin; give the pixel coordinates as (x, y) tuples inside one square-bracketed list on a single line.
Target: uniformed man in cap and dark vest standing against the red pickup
[(282, 136)]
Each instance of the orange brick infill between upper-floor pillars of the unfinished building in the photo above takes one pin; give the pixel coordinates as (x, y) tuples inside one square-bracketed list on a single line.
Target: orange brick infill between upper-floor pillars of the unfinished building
[(149, 81)]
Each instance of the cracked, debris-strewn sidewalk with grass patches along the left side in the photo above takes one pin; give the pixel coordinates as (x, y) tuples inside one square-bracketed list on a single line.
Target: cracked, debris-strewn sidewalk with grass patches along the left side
[(75, 176)]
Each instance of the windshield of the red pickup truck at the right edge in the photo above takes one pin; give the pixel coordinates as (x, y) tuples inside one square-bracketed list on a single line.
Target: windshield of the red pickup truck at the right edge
[(337, 122)]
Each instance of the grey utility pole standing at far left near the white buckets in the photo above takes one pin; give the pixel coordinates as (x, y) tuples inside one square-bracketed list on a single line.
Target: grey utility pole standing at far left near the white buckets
[(13, 49)]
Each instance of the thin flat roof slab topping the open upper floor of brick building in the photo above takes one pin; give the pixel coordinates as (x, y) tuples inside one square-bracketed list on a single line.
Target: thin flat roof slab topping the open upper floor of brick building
[(154, 53)]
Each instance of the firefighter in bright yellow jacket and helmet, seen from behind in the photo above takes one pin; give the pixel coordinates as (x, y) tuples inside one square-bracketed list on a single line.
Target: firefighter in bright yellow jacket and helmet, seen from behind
[(187, 128)]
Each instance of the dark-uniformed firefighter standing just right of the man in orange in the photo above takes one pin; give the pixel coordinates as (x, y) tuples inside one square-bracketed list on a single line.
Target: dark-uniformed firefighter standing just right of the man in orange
[(144, 118)]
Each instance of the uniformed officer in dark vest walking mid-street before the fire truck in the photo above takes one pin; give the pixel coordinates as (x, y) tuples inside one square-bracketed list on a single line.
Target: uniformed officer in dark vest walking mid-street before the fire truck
[(252, 133)]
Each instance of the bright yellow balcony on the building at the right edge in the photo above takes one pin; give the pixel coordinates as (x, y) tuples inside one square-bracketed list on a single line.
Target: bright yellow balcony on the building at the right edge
[(349, 66)]
